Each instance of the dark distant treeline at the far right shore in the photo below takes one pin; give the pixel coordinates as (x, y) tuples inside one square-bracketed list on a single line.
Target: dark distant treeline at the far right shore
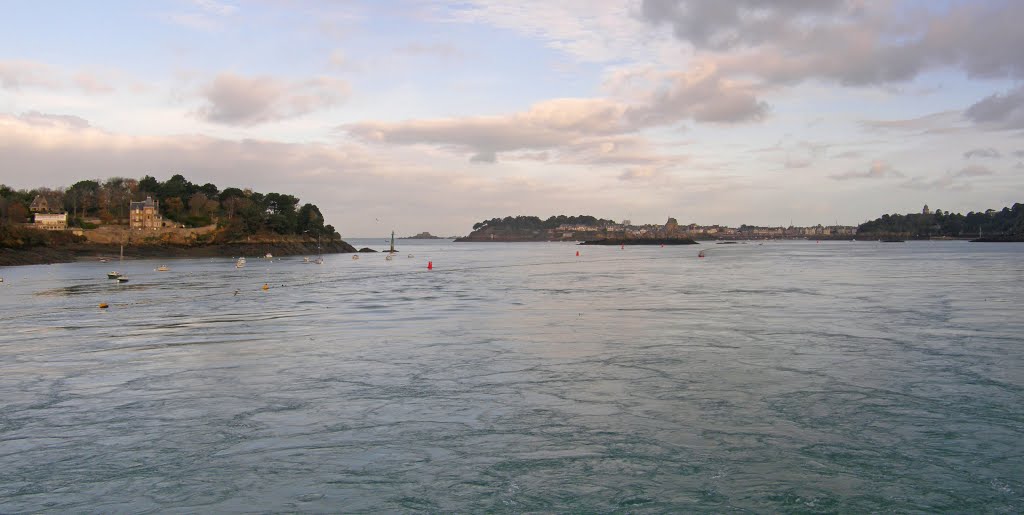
[(1006, 223)]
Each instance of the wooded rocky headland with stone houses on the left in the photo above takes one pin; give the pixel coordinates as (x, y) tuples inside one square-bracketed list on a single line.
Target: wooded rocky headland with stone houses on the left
[(152, 219)]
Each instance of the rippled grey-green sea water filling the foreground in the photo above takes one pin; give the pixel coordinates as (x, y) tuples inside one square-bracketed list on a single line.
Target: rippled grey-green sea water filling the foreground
[(787, 377)]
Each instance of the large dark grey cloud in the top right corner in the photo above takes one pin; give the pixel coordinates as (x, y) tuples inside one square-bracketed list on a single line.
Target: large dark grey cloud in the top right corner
[(851, 42)]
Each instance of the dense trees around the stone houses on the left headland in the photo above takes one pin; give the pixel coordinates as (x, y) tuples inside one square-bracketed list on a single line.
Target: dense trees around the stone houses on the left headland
[(239, 211)]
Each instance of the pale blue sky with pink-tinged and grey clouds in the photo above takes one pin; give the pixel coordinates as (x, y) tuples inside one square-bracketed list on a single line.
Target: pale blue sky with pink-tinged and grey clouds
[(418, 116)]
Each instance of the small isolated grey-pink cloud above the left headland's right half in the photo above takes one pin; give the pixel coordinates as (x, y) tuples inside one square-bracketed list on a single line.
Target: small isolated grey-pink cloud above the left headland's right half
[(233, 100)]
